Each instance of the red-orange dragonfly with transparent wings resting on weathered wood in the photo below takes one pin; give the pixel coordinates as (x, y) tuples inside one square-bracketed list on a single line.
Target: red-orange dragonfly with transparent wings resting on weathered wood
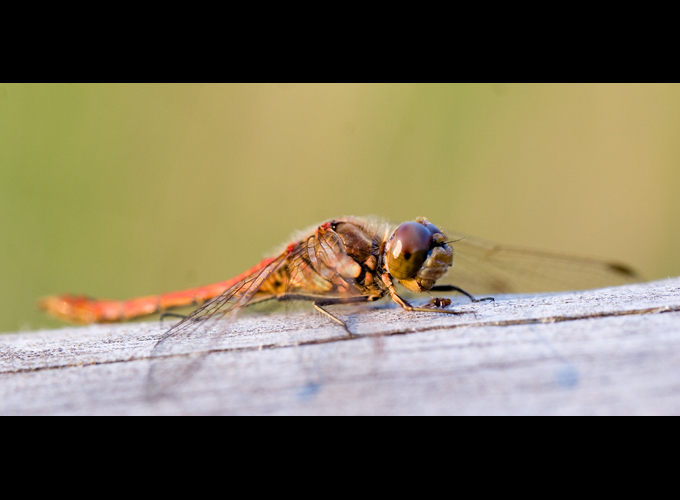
[(353, 260)]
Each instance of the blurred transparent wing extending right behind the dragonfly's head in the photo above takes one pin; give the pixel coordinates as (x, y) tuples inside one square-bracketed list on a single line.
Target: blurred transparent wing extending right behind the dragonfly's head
[(481, 267)]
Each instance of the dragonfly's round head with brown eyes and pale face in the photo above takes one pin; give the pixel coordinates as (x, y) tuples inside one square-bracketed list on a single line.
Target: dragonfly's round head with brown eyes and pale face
[(417, 254)]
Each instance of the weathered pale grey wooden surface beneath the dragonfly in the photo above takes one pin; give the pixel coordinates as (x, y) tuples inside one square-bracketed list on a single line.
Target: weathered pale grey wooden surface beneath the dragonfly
[(611, 352)]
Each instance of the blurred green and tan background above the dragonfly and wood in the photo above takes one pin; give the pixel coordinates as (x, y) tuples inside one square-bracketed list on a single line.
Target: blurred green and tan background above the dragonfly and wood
[(124, 190)]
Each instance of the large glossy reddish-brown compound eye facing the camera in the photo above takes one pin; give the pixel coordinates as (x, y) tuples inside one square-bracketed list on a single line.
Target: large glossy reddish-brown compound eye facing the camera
[(408, 250)]
